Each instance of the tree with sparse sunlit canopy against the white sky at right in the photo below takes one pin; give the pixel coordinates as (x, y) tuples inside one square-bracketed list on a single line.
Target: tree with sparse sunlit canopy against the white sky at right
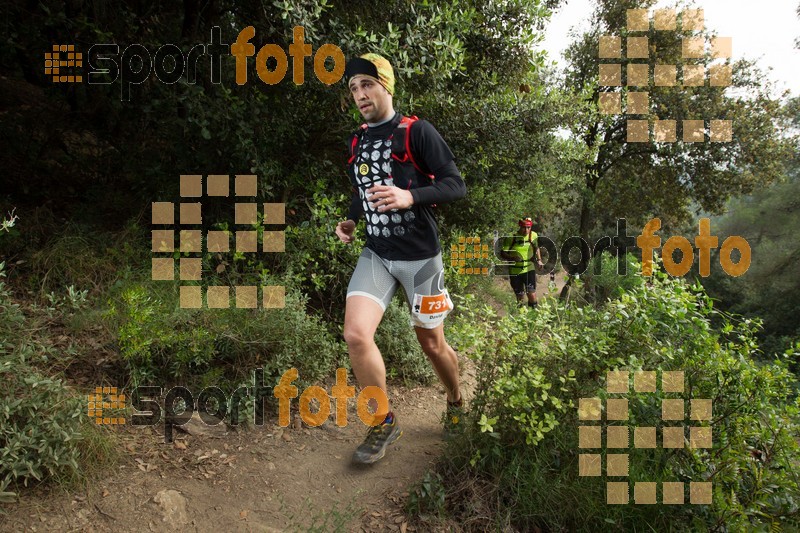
[(637, 180)]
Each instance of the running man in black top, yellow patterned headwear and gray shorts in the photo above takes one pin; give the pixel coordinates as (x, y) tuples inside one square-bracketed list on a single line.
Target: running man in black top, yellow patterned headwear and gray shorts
[(399, 168)]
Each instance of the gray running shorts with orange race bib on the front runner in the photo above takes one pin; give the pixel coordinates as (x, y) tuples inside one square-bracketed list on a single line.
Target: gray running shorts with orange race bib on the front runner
[(422, 280)]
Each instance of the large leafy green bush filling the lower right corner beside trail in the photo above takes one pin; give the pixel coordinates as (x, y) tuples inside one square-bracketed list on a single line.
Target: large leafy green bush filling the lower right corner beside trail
[(523, 430)]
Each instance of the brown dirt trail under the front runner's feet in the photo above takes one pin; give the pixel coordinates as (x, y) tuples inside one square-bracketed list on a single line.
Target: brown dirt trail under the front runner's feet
[(264, 479)]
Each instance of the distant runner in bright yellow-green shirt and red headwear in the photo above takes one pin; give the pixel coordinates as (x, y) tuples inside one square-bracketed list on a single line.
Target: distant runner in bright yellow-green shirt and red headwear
[(520, 249)]
